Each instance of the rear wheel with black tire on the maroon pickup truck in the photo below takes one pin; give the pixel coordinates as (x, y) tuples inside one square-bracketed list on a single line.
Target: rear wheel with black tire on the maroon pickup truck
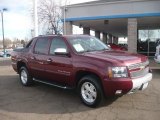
[(25, 78)]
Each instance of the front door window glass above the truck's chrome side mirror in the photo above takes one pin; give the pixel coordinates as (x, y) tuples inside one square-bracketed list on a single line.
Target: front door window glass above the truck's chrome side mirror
[(57, 43)]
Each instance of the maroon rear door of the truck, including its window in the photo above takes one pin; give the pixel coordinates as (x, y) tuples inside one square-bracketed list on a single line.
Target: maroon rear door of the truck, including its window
[(38, 57)]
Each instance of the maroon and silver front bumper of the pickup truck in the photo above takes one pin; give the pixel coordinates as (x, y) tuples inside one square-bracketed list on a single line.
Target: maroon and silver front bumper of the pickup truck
[(125, 85)]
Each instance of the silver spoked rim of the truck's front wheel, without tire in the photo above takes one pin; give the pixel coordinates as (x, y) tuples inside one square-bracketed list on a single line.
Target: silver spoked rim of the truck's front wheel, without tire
[(88, 92)]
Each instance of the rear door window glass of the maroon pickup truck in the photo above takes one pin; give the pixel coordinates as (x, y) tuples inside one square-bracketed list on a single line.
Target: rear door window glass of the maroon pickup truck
[(41, 46)]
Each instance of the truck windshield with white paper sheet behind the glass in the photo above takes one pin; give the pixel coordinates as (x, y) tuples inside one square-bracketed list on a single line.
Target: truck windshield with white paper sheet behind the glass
[(87, 44)]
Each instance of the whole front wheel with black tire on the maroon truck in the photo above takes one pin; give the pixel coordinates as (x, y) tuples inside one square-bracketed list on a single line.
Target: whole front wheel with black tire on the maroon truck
[(90, 91)]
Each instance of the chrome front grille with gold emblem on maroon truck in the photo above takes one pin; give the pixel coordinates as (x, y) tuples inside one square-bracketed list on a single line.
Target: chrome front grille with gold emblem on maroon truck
[(142, 69)]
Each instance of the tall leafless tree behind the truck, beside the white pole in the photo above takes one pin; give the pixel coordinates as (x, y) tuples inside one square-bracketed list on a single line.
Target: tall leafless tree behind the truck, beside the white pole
[(49, 15)]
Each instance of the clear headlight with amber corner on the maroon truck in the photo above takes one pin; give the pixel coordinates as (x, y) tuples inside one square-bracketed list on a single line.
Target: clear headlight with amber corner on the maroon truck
[(118, 72)]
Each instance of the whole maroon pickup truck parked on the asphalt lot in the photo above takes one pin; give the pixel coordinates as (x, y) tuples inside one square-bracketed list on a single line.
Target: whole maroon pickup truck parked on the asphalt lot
[(82, 62)]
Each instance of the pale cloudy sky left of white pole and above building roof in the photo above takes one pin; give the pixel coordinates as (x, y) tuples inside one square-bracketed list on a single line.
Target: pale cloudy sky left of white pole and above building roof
[(17, 20)]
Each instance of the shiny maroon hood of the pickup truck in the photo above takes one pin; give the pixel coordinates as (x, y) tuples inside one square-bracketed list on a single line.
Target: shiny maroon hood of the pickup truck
[(117, 57)]
